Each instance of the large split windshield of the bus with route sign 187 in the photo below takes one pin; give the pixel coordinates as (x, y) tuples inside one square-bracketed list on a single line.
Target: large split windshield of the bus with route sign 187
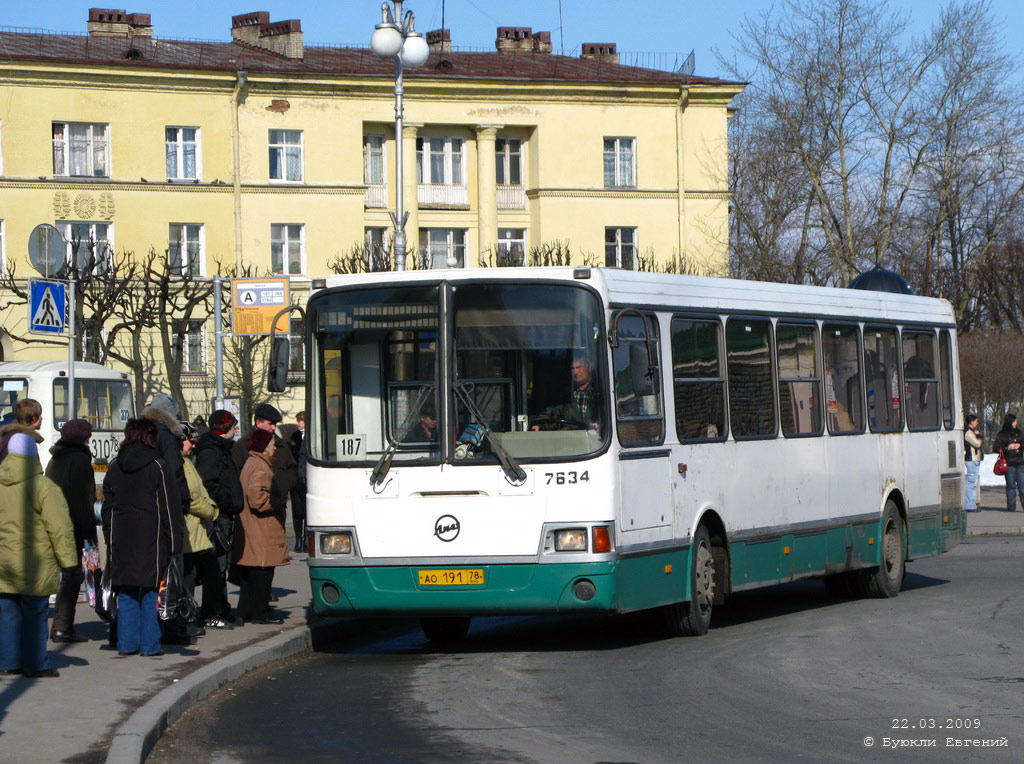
[(526, 381)]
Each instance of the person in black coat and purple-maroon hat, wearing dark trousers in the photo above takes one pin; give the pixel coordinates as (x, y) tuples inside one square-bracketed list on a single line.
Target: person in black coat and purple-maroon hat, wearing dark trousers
[(71, 470)]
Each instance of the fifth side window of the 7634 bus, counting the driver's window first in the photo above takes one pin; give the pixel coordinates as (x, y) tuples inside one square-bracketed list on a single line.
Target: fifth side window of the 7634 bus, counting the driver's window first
[(844, 389)]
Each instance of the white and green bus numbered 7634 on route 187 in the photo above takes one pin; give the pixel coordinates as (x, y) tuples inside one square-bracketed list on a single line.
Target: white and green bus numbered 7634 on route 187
[(736, 435)]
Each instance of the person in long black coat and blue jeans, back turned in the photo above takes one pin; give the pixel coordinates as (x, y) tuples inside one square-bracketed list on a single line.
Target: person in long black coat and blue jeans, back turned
[(144, 529)]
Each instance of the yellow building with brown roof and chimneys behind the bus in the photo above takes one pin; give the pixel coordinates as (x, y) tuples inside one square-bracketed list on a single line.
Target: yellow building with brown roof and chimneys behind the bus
[(268, 154)]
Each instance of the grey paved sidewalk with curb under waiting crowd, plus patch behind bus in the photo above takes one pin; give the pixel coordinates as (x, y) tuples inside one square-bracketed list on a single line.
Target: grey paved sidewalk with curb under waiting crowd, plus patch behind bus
[(105, 708)]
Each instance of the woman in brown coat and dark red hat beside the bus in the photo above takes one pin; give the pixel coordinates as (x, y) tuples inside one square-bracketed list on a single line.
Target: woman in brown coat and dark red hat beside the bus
[(265, 545)]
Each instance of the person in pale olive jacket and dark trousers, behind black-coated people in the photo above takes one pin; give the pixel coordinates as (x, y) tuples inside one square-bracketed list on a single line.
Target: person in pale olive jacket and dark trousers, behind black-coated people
[(201, 560)]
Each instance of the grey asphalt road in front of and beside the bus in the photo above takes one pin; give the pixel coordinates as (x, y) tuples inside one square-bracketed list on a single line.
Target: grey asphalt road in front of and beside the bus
[(786, 674)]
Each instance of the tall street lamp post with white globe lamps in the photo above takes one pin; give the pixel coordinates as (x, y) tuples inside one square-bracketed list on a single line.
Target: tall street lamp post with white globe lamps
[(398, 39)]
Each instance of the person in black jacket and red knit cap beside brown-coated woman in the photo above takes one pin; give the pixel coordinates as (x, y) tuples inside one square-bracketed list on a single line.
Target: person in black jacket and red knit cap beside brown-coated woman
[(221, 478)]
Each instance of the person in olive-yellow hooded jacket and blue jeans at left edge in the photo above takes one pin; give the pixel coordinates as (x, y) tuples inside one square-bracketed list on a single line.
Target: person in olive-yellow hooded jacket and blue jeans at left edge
[(37, 541)]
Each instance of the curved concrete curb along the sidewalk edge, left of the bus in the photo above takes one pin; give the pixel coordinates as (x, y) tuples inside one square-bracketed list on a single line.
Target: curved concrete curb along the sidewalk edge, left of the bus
[(137, 738)]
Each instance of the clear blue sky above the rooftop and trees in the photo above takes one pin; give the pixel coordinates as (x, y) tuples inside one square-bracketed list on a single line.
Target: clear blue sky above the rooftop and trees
[(641, 26)]
